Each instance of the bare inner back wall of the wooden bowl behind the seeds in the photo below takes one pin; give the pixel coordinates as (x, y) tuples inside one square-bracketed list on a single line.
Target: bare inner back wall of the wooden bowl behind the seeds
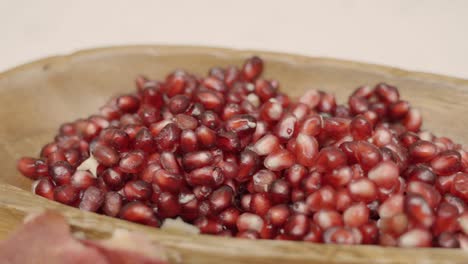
[(36, 98)]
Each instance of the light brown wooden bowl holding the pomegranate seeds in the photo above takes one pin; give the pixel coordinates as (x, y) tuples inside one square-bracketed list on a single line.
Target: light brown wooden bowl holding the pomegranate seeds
[(36, 98)]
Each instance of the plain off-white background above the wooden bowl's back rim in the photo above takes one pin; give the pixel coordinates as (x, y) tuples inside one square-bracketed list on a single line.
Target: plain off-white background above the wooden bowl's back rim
[(422, 35)]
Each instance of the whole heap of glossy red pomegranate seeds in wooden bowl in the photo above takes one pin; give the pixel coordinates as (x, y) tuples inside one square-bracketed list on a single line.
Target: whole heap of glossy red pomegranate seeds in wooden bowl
[(233, 156)]
